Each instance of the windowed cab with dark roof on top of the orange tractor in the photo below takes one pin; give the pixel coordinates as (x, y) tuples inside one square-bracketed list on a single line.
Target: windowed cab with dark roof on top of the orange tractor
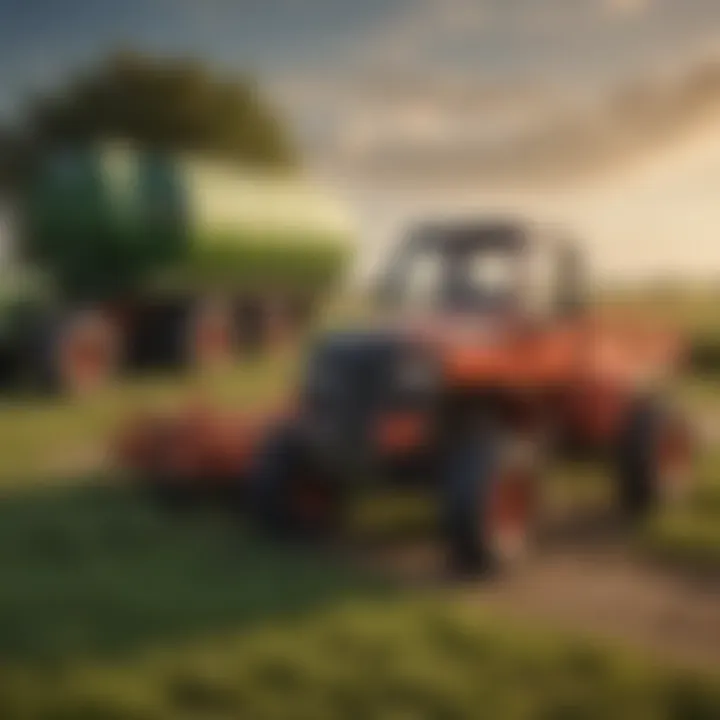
[(479, 267)]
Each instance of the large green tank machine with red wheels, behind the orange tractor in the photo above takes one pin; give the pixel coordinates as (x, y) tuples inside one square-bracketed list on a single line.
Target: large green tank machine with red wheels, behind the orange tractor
[(142, 260)]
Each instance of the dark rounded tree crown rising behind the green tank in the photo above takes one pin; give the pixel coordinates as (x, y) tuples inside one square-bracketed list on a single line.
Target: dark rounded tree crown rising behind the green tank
[(169, 104)]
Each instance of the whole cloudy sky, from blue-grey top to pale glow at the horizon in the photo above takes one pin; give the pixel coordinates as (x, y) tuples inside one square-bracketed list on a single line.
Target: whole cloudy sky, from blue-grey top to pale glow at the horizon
[(501, 87)]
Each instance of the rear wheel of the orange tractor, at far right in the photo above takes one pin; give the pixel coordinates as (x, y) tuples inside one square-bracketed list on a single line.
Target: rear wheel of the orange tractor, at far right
[(644, 483)]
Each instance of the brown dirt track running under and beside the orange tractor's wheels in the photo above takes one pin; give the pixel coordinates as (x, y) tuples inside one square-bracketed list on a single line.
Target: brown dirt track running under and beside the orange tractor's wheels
[(585, 579)]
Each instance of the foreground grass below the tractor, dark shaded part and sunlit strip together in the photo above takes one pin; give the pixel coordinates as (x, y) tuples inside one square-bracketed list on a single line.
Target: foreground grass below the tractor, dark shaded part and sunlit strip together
[(112, 608)]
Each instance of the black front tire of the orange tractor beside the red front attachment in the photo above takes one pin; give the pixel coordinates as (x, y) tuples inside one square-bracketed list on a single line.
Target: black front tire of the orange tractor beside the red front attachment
[(281, 474)]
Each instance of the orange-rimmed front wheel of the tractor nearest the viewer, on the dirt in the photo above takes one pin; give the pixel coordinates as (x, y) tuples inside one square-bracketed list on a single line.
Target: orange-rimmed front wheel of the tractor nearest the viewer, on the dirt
[(471, 476)]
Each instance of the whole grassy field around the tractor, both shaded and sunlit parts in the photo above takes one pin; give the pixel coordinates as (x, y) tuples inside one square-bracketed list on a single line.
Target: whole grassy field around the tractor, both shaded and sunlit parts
[(118, 609)]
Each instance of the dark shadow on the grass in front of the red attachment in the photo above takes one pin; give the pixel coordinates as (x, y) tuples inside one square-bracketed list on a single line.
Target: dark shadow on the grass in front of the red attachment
[(97, 571)]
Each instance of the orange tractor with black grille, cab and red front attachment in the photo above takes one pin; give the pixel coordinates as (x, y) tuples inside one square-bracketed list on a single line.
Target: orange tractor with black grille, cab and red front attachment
[(485, 363)]
